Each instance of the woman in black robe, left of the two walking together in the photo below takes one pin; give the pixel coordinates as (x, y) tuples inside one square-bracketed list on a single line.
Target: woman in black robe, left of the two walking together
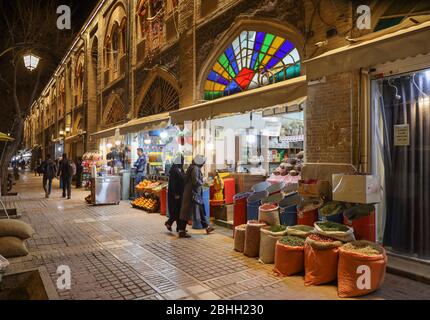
[(175, 192)]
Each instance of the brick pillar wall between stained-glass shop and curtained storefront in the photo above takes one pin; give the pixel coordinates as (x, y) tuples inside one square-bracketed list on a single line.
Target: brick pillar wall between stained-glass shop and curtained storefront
[(331, 113)]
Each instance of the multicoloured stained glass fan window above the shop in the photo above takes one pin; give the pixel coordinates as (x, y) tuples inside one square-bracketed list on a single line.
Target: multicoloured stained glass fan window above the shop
[(252, 60)]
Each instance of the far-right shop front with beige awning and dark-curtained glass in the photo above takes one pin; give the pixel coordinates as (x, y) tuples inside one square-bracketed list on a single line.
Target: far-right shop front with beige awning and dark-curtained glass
[(392, 68)]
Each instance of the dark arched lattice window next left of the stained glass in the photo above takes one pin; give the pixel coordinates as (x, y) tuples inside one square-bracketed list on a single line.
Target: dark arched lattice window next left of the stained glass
[(168, 99)]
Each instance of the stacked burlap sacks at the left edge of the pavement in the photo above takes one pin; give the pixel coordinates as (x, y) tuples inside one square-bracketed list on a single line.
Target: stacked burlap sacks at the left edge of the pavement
[(13, 233)]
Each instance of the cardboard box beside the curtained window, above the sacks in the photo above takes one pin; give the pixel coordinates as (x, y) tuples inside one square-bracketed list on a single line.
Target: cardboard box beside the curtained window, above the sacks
[(363, 189)]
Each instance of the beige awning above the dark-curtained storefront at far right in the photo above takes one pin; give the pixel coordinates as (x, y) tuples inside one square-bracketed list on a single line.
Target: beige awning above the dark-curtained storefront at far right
[(364, 52)]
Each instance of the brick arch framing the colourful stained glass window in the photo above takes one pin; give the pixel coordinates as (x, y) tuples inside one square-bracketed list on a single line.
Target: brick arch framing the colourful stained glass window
[(287, 31)]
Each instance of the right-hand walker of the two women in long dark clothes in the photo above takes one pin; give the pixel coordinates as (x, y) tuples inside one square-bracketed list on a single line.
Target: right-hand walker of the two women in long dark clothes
[(192, 202)]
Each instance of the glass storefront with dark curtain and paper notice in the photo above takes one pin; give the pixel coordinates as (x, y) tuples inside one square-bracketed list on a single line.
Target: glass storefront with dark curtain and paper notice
[(401, 158)]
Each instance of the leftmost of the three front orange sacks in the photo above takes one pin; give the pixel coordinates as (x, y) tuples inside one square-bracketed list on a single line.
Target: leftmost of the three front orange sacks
[(289, 260)]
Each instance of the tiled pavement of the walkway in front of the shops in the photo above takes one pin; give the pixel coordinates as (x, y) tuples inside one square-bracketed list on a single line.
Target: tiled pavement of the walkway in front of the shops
[(117, 252)]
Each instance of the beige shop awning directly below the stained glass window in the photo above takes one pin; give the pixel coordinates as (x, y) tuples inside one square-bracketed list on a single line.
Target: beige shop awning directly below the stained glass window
[(268, 96)]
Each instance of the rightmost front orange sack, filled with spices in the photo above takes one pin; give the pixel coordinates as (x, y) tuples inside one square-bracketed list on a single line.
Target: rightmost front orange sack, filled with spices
[(361, 269)]
